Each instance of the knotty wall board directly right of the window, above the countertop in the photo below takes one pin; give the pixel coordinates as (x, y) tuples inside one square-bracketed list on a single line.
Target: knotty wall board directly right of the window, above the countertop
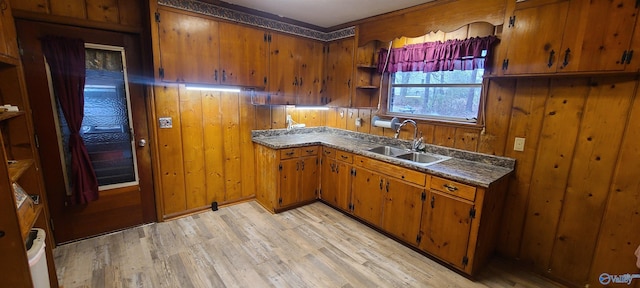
[(499, 105)]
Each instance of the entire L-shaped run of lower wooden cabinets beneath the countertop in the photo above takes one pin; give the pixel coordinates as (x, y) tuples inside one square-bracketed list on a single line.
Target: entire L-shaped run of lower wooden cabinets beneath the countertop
[(451, 221)]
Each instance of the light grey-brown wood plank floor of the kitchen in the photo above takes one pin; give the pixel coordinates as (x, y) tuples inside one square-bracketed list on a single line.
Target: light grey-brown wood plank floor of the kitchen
[(245, 246)]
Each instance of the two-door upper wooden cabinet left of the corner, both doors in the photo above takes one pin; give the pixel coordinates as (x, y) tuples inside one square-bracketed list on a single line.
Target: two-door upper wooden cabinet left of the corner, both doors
[(296, 70)]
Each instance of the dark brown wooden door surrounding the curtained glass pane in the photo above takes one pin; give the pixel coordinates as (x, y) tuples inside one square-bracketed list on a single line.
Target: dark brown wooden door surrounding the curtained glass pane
[(67, 226)]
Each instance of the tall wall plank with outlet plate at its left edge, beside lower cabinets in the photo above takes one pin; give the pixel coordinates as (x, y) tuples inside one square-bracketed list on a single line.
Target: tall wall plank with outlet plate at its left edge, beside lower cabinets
[(526, 121)]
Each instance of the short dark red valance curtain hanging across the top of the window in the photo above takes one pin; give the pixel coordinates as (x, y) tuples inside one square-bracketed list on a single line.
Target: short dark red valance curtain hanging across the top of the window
[(438, 56)]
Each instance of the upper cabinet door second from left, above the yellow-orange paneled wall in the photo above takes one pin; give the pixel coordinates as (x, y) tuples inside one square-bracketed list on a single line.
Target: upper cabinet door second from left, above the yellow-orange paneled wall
[(243, 55)]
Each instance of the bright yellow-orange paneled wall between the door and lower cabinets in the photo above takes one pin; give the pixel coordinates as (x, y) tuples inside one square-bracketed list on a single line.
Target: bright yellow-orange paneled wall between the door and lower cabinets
[(207, 155)]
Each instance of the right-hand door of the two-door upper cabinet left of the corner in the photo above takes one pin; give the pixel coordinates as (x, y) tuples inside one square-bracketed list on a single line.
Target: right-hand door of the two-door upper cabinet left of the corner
[(310, 70)]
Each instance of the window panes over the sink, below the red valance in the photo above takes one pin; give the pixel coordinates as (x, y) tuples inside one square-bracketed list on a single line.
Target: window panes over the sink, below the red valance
[(444, 95)]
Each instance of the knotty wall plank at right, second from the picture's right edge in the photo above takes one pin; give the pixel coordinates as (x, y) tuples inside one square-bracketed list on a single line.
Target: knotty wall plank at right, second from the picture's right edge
[(596, 153)]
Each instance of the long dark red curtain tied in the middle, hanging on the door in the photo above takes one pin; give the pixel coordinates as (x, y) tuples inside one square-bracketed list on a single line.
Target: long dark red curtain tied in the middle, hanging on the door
[(66, 58)]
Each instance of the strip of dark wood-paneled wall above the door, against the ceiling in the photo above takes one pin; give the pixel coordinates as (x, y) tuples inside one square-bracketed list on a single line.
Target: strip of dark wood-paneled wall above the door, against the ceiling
[(121, 12)]
